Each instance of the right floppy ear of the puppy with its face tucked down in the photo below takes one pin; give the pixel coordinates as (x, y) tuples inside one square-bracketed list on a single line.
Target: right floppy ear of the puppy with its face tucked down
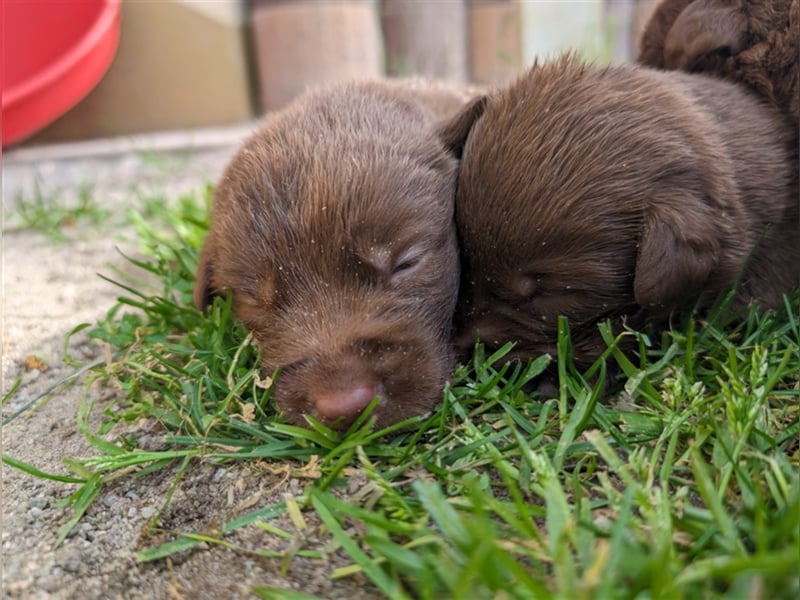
[(678, 251)]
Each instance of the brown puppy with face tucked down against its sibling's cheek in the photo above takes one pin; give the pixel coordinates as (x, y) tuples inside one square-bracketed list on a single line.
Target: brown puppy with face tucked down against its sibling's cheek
[(616, 193)]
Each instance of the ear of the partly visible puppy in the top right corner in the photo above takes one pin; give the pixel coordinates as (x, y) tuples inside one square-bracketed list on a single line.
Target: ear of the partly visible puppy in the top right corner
[(704, 29)]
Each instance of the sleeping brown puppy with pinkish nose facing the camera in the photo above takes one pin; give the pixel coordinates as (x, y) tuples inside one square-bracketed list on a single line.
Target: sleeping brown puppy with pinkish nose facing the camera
[(333, 228)]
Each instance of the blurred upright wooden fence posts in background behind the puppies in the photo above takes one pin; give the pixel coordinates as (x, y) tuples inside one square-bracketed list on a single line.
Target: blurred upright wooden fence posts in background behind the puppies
[(302, 42)]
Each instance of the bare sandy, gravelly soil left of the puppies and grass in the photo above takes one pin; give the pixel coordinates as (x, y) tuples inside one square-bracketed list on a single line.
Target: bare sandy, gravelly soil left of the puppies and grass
[(48, 288)]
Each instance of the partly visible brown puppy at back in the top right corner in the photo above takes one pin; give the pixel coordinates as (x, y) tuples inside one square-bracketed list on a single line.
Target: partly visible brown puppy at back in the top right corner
[(755, 42)]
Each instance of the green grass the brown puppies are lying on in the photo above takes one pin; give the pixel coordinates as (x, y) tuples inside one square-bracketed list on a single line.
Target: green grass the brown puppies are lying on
[(683, 485)]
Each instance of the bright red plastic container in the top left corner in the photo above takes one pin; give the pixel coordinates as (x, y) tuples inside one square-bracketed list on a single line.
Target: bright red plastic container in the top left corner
[(54, 53)]
